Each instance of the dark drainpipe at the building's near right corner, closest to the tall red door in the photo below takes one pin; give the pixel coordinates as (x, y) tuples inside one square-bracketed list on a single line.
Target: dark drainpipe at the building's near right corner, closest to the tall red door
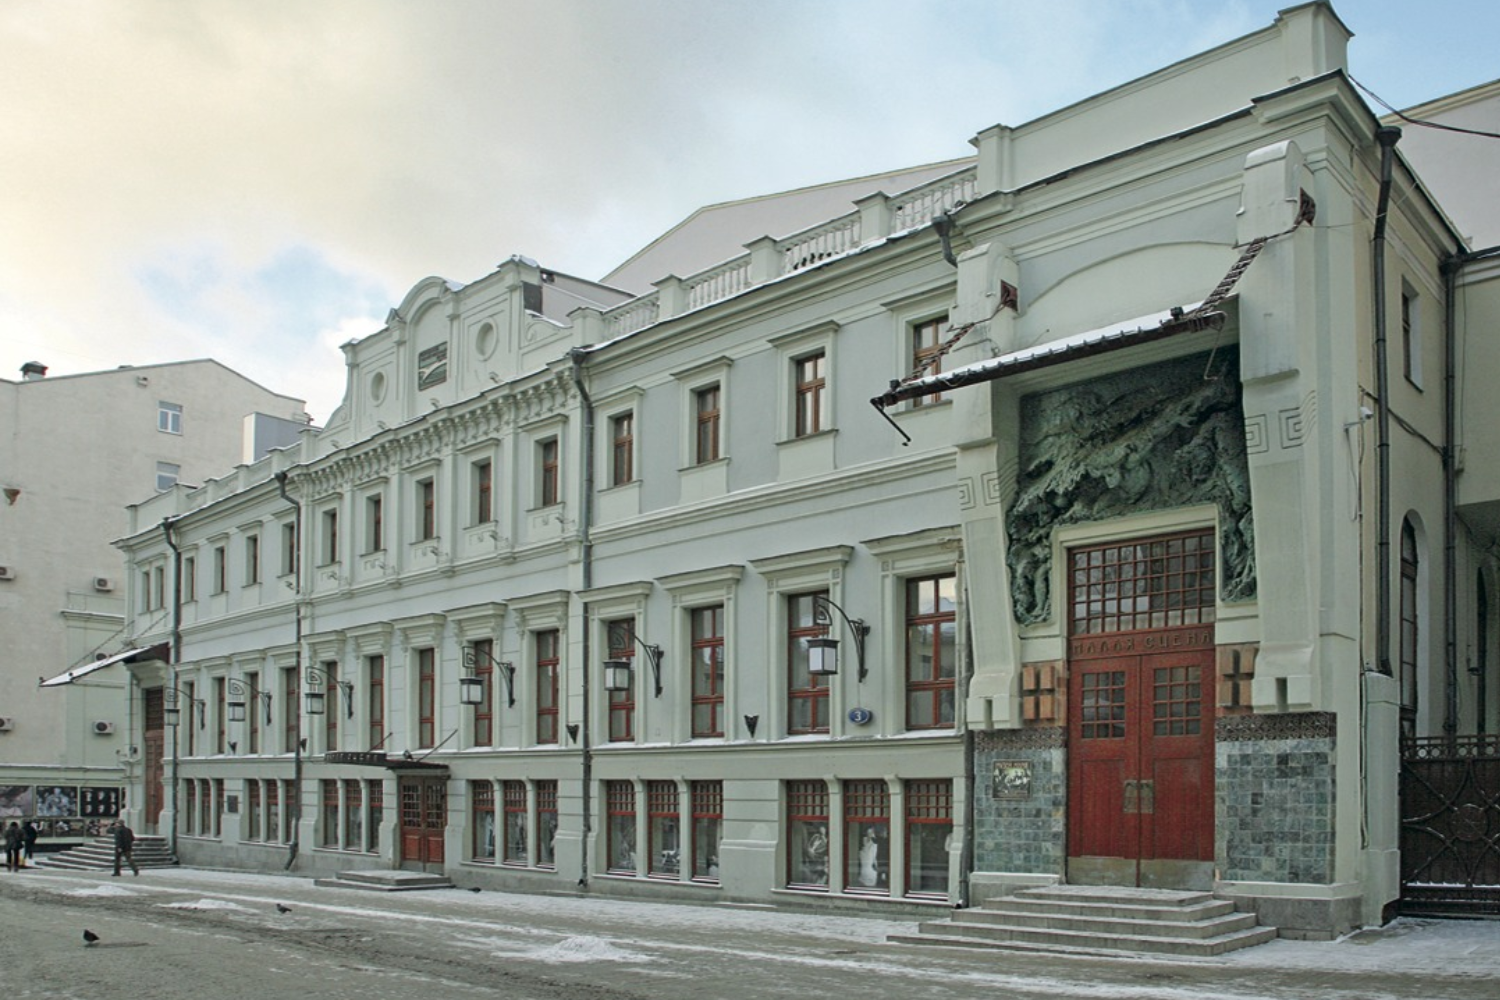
[(1387, 137)]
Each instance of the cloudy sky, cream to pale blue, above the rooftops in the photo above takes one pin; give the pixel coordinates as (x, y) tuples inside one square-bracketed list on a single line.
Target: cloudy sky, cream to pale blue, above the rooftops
[(263, 181)]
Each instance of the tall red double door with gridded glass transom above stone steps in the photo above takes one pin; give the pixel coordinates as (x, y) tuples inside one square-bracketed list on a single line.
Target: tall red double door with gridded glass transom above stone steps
[(1141, 713)]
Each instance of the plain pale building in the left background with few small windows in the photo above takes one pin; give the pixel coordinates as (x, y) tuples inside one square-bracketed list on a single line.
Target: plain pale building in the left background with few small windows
[(74, 451)]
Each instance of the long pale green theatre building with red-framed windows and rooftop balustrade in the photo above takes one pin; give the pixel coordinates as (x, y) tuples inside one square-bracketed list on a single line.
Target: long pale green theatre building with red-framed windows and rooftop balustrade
[(1132, 575)]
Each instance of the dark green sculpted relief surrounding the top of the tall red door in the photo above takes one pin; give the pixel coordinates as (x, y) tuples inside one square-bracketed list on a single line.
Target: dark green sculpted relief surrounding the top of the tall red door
[(1151, 439)]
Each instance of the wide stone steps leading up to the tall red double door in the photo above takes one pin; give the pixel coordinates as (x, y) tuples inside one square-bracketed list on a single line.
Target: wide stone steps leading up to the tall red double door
[(1099, 921)]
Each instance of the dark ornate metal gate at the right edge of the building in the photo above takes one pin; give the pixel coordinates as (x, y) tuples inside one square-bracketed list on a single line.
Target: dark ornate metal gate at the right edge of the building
[(1451, 827)]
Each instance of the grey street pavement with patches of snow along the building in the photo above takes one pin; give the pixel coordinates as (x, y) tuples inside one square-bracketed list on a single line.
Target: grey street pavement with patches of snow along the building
[(193, 933)]
